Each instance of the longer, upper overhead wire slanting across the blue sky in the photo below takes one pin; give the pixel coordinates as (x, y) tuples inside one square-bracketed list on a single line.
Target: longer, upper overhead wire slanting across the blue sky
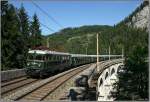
[(52, 18)]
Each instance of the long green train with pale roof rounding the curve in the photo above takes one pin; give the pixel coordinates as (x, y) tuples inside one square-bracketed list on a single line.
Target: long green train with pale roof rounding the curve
[(43, 63)]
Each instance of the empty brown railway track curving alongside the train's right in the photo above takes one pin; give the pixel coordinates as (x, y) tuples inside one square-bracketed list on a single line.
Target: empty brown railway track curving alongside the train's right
[(41, 92)]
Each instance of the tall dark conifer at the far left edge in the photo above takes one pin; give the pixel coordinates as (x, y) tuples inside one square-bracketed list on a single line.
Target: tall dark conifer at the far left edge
[(11, 35)]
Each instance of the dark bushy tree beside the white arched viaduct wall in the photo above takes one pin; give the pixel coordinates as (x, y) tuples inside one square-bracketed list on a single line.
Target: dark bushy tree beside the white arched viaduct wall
[(133, 82)]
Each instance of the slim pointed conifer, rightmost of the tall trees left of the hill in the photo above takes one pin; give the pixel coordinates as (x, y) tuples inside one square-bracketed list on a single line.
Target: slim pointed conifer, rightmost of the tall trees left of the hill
[(35, 32)]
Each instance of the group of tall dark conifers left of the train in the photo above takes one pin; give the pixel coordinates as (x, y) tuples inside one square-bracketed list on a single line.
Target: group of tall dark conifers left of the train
[(16, 39)]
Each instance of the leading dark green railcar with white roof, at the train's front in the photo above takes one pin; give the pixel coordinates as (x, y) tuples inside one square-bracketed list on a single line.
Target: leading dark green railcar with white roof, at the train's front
[(45, 63)]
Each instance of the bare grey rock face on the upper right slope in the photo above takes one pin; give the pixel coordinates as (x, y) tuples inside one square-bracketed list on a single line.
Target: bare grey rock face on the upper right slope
[(141, 18)]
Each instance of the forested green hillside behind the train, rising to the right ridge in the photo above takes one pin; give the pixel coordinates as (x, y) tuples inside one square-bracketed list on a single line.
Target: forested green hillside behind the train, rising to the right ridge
[(83, 39)]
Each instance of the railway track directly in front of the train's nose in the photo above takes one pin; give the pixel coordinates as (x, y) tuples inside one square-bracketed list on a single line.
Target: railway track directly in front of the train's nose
[(12, 86)]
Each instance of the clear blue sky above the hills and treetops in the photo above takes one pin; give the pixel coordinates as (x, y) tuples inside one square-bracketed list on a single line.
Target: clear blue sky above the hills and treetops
[(76, 13)]
